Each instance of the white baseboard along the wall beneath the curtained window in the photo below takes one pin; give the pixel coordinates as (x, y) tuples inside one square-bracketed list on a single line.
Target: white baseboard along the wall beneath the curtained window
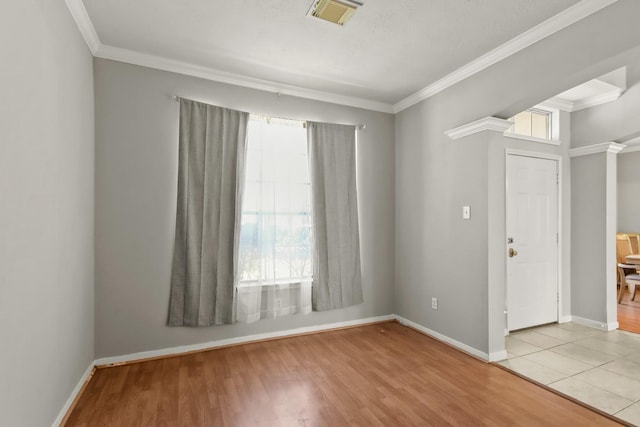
[(171, 351)]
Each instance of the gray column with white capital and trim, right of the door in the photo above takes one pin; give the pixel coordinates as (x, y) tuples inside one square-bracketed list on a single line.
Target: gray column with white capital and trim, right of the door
[(593, 234)]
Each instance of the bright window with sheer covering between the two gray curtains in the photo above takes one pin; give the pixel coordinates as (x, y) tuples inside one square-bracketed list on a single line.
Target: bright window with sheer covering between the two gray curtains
[(275, 235)]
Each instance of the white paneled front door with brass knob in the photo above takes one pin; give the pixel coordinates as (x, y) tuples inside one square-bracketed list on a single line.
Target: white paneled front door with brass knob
[(532, 241)]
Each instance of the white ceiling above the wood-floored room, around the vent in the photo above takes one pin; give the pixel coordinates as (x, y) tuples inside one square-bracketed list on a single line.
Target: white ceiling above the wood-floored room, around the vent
[(389, 50)]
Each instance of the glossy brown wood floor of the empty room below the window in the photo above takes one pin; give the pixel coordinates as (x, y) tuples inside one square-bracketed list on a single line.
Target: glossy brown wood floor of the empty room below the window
[(376, 375)]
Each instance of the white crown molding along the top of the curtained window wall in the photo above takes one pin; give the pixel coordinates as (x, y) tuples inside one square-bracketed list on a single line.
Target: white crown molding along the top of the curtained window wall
[(181, 67)]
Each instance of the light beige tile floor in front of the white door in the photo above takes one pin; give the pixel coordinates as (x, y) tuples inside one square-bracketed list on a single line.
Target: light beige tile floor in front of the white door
[(599, 368)]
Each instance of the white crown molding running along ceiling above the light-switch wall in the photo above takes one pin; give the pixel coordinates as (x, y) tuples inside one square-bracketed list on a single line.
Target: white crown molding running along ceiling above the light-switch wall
[(552, 25)]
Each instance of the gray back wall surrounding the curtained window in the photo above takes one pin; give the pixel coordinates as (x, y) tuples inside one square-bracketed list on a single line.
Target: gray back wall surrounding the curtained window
[(136, 169)]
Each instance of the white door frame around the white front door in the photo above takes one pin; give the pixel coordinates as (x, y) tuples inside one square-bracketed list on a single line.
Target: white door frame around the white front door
[(558, 159)]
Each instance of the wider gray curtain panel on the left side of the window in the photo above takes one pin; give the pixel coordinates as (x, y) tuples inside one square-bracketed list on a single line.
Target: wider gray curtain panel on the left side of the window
[(212, 151)]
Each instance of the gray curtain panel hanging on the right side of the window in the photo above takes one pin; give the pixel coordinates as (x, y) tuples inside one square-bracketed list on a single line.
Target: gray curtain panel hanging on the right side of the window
[(337, 280)]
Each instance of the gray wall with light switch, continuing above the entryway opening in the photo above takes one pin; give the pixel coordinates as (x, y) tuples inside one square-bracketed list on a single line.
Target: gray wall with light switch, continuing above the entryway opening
[(437, 254)]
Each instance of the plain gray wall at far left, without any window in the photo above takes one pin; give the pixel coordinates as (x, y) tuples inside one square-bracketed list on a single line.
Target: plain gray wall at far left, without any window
[(46, 210)]
